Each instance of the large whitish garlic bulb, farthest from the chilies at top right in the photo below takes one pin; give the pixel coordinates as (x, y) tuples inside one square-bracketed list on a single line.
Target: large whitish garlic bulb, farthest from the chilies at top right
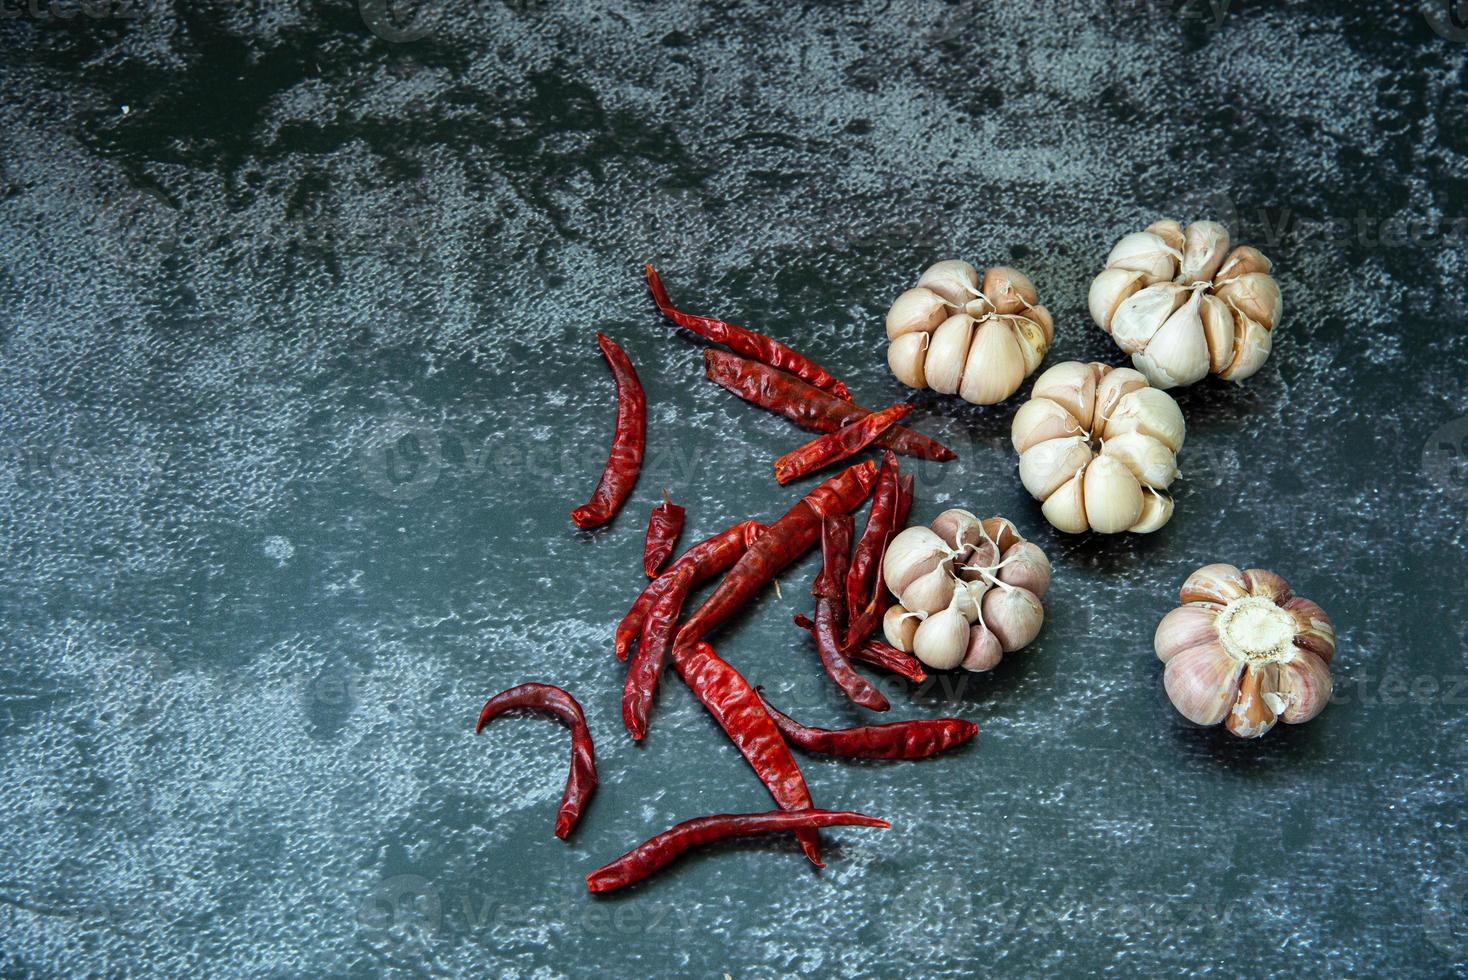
[(1185, 307)]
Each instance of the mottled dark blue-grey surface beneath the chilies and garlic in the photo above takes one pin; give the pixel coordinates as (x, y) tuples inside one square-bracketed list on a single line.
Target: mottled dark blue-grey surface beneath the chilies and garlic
[(299, 385)]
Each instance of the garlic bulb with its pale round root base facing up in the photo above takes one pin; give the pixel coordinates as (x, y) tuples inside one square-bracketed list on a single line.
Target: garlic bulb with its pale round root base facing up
[(1243, 649)]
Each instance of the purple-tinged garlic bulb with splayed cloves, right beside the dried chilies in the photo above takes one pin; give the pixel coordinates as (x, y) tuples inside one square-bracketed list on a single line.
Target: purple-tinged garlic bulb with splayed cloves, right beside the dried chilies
[(968, 592)]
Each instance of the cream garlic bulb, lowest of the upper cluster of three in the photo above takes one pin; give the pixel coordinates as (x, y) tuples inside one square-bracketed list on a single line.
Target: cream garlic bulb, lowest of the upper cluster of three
[(1097, 448)]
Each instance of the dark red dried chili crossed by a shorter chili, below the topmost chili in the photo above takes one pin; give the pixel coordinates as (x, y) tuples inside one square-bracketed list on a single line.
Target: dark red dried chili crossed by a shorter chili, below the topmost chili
[(808, 406)]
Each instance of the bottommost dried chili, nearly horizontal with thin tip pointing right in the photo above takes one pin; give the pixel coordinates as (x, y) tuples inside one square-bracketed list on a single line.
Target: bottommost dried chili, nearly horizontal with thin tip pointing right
[(661, 852)]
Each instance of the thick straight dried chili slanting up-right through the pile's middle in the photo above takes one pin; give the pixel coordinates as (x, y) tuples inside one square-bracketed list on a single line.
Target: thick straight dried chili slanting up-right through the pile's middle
[(786, 541)]
